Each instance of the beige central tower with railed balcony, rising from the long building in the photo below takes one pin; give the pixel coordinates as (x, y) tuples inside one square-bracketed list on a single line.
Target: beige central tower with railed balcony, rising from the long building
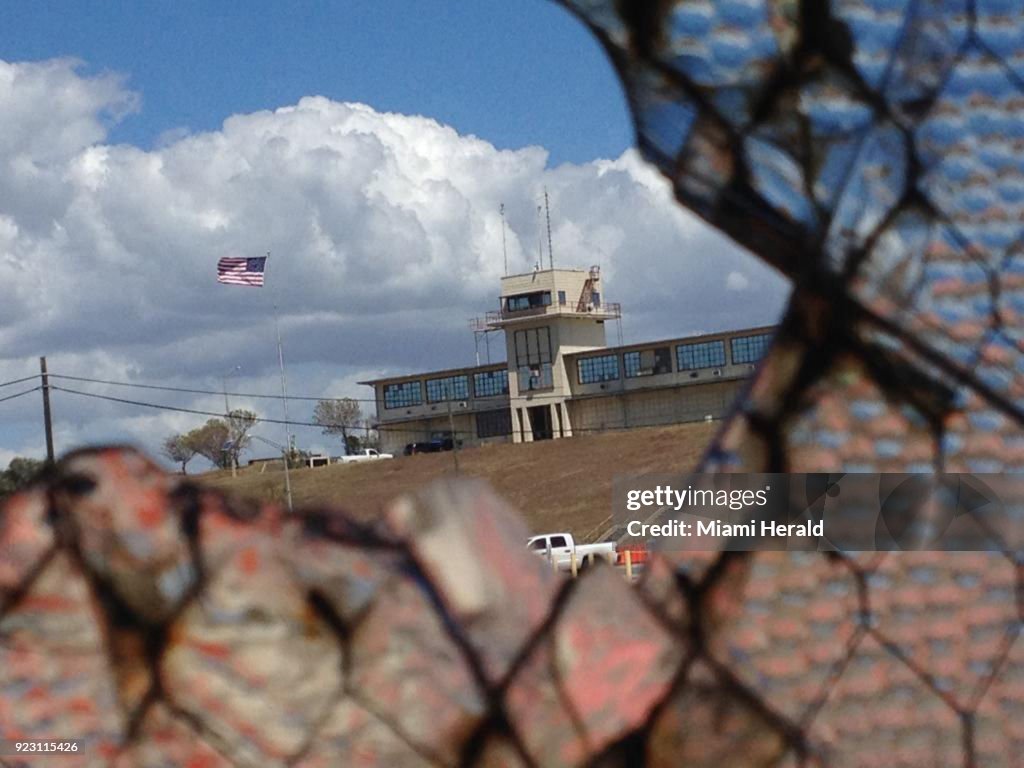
[(547, 315)]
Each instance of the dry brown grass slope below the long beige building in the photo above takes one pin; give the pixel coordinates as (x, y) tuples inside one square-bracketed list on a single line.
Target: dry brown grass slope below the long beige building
[(559, 485)]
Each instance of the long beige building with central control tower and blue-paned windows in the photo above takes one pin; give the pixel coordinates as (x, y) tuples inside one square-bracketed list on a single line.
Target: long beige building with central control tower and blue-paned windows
[(561, 377)]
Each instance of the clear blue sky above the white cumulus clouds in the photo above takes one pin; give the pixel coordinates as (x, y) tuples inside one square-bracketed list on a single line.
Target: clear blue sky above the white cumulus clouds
[(516, 74)]
